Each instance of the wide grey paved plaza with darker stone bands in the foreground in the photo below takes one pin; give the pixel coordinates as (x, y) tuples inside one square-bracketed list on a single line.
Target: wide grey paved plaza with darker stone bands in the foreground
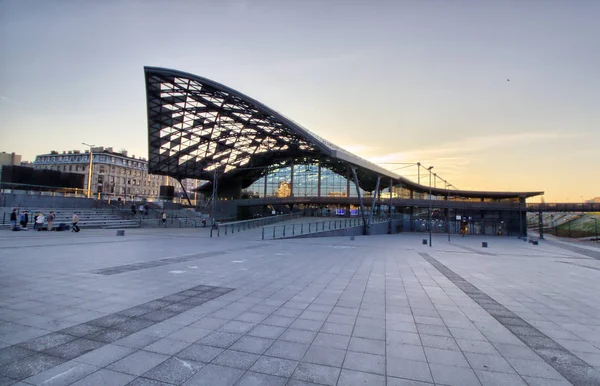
[(172, 307)]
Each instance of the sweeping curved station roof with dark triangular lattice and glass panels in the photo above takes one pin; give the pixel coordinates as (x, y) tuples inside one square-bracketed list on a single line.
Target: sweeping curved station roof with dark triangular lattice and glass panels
[(198, 128)]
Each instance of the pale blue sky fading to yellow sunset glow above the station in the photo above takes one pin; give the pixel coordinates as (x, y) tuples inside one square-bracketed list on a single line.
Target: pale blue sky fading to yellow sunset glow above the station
[(496, 95)]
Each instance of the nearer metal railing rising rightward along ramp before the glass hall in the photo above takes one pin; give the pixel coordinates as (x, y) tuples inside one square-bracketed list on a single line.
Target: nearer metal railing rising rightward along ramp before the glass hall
[(291, 230)]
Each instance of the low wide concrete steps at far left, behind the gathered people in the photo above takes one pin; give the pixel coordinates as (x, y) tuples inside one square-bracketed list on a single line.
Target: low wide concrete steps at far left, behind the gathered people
[(88, 218)]
